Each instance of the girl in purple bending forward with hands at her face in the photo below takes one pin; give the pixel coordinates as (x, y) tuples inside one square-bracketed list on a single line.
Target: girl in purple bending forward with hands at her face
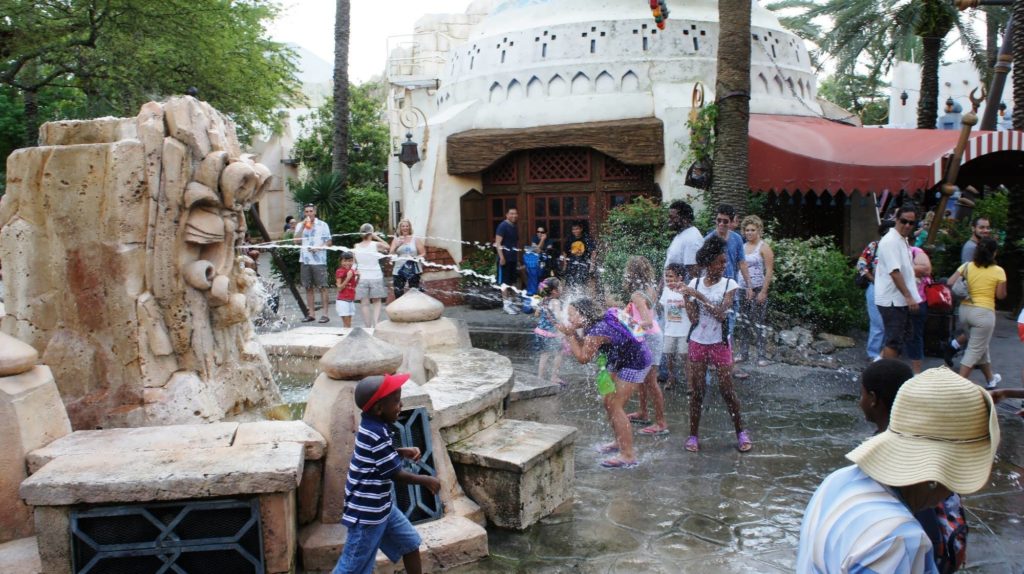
[(628, 360)]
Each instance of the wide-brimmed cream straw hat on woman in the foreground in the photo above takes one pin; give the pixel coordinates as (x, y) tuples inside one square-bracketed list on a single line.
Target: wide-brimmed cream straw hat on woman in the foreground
[(943, 428)]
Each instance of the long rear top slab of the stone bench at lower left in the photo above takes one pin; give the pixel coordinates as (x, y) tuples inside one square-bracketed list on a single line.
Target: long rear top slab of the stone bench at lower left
[(118, 443)]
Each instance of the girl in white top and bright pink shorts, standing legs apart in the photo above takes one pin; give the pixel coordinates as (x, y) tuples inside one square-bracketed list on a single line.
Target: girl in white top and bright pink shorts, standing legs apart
[(709, 299)]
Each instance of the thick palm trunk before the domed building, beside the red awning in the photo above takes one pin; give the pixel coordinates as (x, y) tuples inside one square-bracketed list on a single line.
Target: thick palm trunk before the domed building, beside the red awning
[(733, 94)]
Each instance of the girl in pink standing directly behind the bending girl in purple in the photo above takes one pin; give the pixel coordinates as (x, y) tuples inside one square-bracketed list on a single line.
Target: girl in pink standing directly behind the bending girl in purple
[(639, 283)]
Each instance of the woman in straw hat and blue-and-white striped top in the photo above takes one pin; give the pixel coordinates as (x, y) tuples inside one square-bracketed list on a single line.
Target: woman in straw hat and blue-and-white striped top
[(862, 518)]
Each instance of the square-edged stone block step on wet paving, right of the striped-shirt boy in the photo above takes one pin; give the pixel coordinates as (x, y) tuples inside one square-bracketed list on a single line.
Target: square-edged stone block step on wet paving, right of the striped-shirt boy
[(518, 471)]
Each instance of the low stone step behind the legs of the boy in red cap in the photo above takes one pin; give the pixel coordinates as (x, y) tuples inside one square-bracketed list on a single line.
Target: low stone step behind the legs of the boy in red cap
[(449, 542)]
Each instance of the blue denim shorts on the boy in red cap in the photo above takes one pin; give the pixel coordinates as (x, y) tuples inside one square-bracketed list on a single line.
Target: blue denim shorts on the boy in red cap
[(396, 538)]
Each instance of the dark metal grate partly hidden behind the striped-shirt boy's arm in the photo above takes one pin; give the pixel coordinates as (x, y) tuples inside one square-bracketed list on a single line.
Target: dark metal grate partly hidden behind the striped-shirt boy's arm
[(419, 505)]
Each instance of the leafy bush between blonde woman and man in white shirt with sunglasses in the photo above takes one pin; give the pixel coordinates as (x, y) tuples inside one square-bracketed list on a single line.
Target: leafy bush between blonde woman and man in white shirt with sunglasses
[(815, 285)]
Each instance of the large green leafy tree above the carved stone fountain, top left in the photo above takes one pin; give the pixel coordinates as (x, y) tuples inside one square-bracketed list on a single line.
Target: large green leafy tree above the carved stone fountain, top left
[(120, 54)]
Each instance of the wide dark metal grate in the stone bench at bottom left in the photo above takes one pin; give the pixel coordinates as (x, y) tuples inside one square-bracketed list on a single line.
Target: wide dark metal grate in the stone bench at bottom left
[(194, 538)]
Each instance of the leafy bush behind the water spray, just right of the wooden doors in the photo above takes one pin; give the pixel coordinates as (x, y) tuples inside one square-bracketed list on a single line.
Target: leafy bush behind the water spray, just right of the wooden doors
[(636, 229)]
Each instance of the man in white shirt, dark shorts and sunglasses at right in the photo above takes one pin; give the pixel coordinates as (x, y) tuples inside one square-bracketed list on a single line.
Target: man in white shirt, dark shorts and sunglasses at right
[(895, 294)]
